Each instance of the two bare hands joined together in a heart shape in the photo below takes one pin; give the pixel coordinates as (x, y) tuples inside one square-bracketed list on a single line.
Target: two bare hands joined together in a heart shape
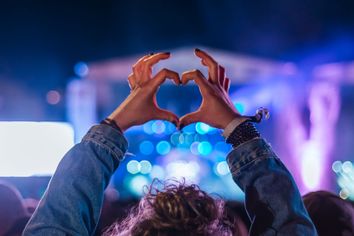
[(141, 105)]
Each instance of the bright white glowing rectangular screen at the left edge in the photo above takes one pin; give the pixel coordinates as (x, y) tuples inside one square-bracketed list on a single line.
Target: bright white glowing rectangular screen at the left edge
[(33, 148)]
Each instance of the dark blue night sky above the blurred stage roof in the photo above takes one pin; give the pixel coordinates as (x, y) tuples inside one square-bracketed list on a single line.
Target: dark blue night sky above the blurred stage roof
[(40, 41)]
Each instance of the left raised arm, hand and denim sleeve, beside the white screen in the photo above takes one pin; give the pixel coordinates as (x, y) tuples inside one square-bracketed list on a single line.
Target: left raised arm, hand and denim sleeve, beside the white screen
[(72, 202)]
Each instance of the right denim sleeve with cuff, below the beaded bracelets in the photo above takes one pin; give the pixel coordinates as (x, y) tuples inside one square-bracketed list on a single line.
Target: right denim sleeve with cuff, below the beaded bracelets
[(273, 201)]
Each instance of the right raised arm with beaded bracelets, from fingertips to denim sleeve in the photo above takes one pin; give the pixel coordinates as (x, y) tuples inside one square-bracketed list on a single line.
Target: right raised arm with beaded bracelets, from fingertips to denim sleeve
[(273, 201)]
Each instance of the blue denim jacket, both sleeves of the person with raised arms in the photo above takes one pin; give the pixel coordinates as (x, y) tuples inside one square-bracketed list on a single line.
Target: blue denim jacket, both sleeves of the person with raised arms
[(72, 202)]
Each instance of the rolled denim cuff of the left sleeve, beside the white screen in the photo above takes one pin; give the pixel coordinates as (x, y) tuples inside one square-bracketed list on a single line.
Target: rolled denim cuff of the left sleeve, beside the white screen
[(109, 138)]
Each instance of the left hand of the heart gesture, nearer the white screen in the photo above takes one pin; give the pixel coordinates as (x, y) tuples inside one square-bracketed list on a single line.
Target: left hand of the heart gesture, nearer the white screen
[(141, 105)]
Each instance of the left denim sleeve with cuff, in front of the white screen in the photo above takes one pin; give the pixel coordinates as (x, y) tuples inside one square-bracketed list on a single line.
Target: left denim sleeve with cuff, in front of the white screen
[(72, 202)]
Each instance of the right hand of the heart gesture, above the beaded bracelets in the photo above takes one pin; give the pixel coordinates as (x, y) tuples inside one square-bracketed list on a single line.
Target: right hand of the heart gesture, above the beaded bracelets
[(216, 109)]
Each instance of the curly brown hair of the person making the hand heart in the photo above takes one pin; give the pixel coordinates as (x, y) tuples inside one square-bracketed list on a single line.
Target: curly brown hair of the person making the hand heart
[(176, 209)]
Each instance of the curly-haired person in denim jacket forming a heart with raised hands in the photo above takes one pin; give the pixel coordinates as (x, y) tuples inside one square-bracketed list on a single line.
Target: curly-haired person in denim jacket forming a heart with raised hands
[(72, 202)]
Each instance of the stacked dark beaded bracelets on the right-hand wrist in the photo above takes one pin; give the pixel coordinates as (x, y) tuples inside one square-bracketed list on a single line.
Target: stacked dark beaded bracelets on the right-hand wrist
[(242, 133)]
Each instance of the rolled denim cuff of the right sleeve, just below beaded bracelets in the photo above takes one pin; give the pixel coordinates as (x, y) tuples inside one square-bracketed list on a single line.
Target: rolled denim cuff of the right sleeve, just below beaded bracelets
[(249, 153)]
